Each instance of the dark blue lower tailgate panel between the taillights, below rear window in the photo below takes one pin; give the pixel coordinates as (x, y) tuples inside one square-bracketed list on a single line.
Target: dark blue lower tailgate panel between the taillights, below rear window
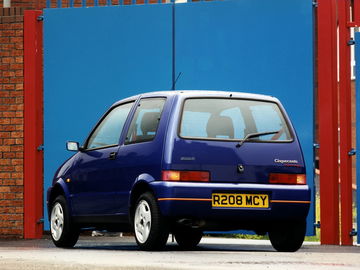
[(223, 158)]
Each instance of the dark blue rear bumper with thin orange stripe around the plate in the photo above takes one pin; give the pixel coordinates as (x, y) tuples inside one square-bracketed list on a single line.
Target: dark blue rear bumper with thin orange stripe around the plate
[(194, 200)]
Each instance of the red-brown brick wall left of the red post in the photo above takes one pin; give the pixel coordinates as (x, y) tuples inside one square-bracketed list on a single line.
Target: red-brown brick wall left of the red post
[(11, 122)]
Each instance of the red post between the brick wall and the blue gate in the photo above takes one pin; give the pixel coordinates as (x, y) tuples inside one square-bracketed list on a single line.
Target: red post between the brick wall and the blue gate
[(33, 126)]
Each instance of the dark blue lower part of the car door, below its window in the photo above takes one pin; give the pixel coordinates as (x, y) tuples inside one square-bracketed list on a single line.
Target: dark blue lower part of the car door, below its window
[(95, 188)]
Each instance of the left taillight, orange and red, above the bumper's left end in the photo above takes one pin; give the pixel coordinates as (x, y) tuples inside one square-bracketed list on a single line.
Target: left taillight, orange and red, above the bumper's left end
[(185, 176)]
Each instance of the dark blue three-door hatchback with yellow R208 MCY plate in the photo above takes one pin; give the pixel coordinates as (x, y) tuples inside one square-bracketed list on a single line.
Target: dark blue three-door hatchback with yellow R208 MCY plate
[(184, 162)]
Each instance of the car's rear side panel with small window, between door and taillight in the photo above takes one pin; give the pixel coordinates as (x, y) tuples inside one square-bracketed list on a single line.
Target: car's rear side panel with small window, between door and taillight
[(141, 153)]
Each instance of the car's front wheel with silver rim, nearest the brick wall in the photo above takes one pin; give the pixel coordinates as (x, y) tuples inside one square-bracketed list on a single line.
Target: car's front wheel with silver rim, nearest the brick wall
[(62, 230)]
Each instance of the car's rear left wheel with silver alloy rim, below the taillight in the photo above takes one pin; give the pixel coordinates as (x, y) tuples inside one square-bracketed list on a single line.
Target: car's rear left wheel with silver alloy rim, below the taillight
[(151, 228)]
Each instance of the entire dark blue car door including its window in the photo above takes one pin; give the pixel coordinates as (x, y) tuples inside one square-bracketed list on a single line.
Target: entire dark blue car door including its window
[(96, 181)]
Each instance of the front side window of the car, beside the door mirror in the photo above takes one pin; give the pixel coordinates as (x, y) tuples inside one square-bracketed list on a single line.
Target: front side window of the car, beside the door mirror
[(109, 130)]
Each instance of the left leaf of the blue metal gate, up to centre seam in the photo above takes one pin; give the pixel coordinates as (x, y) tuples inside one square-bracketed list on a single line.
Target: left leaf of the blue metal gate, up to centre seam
[(94, 57)]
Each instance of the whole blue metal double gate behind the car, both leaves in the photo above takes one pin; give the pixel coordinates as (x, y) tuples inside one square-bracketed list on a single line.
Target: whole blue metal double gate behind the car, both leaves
[(97, 55)]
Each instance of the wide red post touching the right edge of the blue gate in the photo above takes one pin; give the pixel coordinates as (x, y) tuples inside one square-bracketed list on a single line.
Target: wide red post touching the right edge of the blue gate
[(328, 121)]
